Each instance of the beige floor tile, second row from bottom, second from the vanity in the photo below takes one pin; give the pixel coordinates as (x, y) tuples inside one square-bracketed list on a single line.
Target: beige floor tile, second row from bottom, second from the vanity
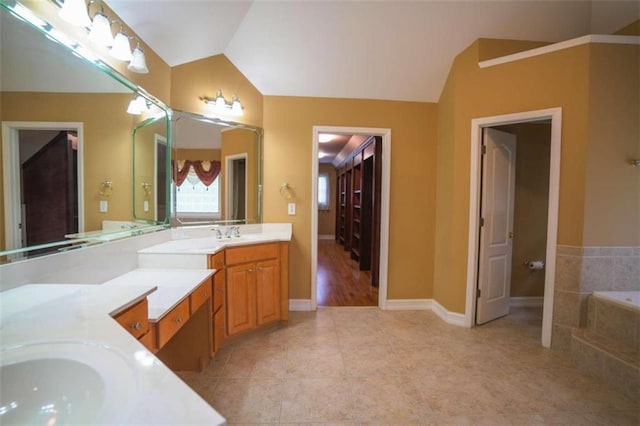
[(315, 361)]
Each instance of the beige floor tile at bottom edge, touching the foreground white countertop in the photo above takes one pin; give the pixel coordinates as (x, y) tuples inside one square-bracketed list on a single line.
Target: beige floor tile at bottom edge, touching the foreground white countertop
[(248, 400)]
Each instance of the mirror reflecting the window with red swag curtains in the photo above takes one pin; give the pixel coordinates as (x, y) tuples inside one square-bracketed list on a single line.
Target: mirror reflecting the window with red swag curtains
[(216, 171)]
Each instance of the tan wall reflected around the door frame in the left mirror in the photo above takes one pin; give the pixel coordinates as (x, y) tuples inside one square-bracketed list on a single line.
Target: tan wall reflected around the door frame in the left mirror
[(107, 144)]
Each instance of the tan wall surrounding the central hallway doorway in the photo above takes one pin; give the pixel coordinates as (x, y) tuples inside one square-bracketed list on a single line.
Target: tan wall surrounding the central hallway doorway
[(288, 143)]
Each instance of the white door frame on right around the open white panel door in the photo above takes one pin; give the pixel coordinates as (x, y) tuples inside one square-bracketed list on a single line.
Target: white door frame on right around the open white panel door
[(551, 117)]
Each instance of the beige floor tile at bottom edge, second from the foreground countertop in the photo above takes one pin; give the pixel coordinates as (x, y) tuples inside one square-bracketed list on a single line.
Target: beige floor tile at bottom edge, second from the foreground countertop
[(317, 400)]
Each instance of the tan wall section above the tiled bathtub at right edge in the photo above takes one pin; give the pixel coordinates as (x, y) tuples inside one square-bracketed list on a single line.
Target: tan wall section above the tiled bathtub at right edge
[(612, 199)]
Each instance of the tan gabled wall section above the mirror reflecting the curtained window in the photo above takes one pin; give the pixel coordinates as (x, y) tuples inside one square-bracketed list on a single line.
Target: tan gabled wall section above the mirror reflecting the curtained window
[(204, 77)]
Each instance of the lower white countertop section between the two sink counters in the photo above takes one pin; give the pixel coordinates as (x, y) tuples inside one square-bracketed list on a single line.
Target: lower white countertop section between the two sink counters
[(173, 286)]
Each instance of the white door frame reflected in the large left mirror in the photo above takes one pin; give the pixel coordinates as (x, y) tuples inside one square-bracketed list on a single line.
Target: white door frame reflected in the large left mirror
[(11, 174)]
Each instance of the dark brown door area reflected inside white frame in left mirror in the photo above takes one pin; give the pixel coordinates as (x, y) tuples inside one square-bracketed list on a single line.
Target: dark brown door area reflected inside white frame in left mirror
[(49, 185)]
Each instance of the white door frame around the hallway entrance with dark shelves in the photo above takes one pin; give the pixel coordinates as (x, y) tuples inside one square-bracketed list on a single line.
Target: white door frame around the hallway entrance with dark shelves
[(380, 262)]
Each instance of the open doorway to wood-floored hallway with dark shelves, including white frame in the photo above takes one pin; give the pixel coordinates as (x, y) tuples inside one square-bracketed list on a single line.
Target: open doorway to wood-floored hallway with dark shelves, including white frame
[(354, 196)]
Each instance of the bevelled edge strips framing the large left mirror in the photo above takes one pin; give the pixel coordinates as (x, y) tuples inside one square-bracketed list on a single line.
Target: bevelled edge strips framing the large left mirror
[(41, 25)]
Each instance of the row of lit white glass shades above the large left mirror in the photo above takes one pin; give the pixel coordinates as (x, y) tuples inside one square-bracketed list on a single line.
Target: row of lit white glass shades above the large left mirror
[(76, 12)]
